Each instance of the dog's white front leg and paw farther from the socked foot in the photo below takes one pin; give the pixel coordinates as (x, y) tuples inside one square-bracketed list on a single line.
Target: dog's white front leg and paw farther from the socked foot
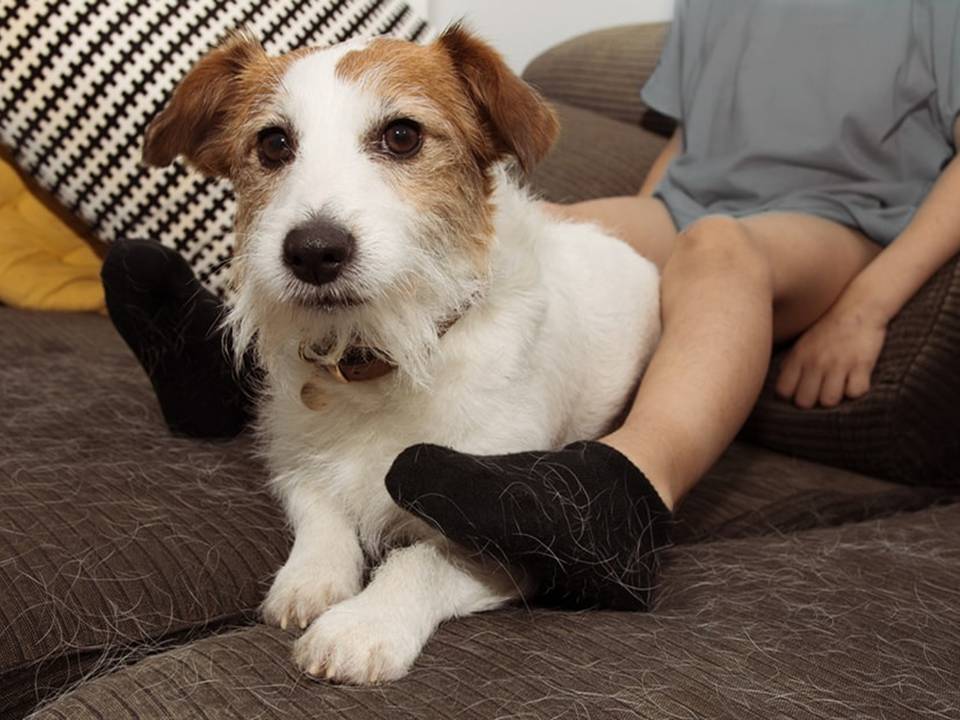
[(325, 565)]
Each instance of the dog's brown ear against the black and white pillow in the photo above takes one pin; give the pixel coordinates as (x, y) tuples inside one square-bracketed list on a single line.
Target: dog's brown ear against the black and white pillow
[(193, 122)]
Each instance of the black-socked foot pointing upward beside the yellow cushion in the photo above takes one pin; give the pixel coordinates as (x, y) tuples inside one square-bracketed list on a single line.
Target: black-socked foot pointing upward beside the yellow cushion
[(172, 324)]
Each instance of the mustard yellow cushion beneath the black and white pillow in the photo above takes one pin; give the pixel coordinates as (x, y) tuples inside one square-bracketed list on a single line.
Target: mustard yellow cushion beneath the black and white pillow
[(44, 264)]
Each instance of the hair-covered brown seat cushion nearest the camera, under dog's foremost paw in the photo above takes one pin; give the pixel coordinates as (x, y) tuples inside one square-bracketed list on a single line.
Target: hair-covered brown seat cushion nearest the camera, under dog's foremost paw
[(859, 621)]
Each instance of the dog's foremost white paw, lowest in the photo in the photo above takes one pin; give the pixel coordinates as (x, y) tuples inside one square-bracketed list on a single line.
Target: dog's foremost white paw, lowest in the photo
[(357, 644)]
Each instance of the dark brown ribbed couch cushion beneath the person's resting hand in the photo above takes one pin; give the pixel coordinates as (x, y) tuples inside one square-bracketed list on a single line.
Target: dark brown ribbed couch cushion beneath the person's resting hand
[(907, 428)]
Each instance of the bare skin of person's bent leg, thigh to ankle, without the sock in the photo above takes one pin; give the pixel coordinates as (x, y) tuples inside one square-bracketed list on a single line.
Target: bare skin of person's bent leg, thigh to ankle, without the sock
[(728, 289)]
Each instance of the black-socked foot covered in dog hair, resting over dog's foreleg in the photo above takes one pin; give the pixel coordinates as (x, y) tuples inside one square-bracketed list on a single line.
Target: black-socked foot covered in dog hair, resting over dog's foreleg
[(583, 521)]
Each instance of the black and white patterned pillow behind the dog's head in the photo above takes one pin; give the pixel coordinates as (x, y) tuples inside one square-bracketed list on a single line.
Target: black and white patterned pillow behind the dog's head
[(81, 79)]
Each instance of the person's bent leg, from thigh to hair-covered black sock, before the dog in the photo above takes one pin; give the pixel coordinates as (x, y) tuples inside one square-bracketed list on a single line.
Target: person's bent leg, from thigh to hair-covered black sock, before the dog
[(588, 521)]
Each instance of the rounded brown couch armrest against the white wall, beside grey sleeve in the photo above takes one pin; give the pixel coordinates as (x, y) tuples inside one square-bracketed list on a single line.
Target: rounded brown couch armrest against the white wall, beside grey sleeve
[(604, 71)]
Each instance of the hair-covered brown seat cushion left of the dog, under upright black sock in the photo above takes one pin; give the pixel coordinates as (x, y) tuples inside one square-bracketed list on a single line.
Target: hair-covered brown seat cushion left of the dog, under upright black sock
[(114, 536)]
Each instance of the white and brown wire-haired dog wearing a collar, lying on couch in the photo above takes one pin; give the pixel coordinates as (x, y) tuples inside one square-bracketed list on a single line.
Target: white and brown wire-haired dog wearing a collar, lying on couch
[(398, 286)]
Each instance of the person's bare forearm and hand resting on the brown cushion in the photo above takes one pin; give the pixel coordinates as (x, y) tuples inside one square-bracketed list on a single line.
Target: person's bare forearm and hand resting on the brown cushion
[(843, 346)]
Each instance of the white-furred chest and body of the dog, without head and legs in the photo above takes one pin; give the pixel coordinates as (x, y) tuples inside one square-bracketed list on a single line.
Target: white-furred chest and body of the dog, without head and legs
[(550, 354)]
